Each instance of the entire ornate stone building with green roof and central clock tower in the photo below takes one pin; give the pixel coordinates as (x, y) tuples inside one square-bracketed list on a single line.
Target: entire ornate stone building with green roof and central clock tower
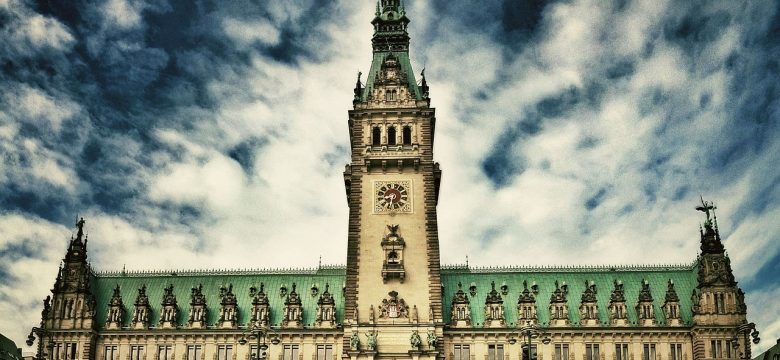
[(394, 300)]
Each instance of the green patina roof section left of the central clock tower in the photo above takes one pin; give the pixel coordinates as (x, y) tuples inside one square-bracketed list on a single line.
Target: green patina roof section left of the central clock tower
[(183, 282)]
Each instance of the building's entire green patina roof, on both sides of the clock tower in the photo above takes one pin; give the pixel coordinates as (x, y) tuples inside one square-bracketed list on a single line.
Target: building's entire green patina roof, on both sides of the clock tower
[(683, 276)]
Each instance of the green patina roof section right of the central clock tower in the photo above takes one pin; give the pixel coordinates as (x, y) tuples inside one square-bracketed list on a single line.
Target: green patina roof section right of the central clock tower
[(684, 278)]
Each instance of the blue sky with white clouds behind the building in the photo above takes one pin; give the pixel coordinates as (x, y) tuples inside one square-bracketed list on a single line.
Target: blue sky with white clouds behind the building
[(214, 134)]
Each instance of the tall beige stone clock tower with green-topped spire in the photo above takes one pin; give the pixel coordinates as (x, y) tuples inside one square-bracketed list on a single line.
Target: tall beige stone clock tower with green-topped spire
[(392, 311)]
